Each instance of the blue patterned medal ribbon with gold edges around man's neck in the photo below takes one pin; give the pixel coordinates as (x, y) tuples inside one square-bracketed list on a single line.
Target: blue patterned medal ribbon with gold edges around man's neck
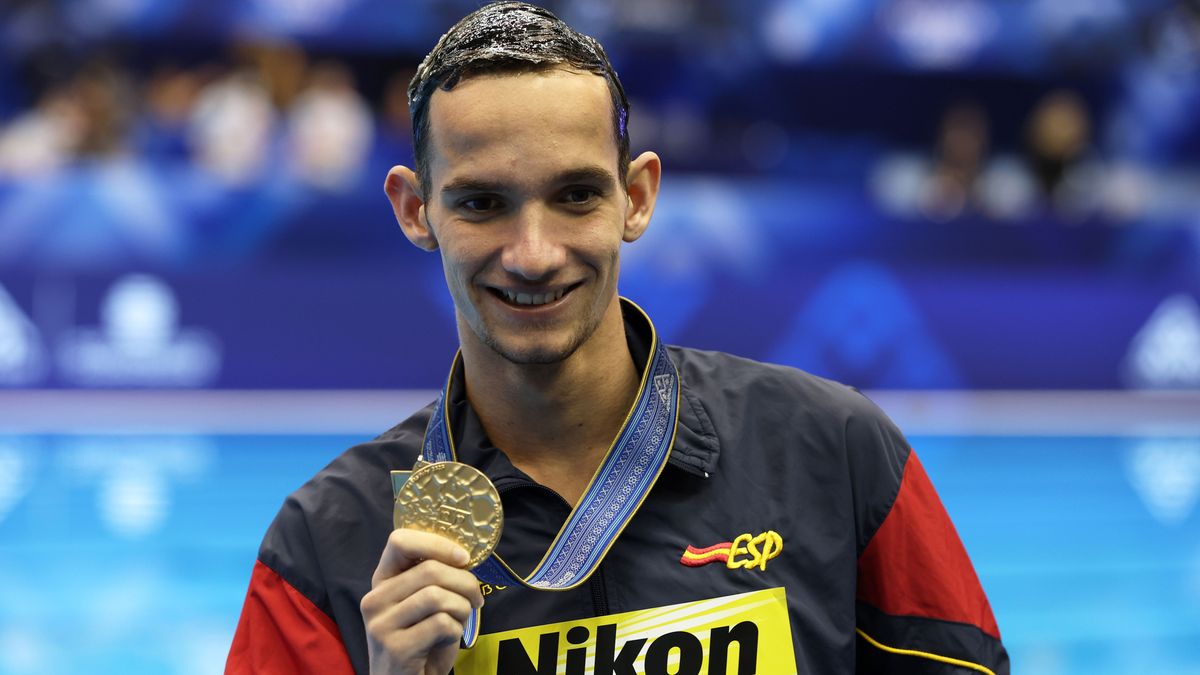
[(621, 485)]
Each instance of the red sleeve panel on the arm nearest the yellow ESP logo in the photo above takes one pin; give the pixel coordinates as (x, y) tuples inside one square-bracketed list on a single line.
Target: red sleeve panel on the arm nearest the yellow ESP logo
[(916, 565)]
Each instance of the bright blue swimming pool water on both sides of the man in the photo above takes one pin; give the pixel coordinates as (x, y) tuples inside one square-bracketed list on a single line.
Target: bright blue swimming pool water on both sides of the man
[(131, 554)]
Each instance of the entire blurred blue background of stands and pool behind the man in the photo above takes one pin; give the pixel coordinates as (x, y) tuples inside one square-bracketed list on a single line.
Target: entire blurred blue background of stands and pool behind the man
[(987, 214)]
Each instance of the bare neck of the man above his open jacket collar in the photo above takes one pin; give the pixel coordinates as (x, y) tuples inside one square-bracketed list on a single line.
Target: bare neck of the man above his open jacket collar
[(556, 422)]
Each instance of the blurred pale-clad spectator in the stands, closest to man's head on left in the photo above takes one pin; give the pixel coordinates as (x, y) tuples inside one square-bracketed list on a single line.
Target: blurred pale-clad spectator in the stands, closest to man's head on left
[(331, 130)]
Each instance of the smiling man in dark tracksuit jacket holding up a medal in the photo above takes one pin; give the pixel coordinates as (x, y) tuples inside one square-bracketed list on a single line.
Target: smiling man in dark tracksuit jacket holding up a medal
[(665, 510)]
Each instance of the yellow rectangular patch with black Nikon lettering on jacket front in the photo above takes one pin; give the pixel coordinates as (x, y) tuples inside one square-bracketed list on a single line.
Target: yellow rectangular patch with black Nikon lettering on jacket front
[(729, 636)]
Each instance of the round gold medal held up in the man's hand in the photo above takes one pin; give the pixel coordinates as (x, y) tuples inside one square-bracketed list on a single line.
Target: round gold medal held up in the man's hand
[(453, 500)]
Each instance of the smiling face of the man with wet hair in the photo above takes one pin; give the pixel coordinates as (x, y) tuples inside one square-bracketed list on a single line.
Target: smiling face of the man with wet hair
[(529, 211)]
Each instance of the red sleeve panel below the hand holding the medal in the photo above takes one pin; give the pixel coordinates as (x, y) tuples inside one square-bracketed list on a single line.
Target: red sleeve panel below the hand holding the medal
[(281, 631)]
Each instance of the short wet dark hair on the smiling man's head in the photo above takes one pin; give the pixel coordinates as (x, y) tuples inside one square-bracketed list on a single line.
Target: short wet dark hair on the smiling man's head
[(507, 38)]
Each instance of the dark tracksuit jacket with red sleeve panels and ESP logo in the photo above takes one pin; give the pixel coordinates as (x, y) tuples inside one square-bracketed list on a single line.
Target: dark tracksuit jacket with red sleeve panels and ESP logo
[(874, 576)]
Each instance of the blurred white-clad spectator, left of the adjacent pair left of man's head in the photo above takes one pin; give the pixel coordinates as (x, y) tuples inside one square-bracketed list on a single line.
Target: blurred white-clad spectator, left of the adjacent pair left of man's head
[(231, 128)]
